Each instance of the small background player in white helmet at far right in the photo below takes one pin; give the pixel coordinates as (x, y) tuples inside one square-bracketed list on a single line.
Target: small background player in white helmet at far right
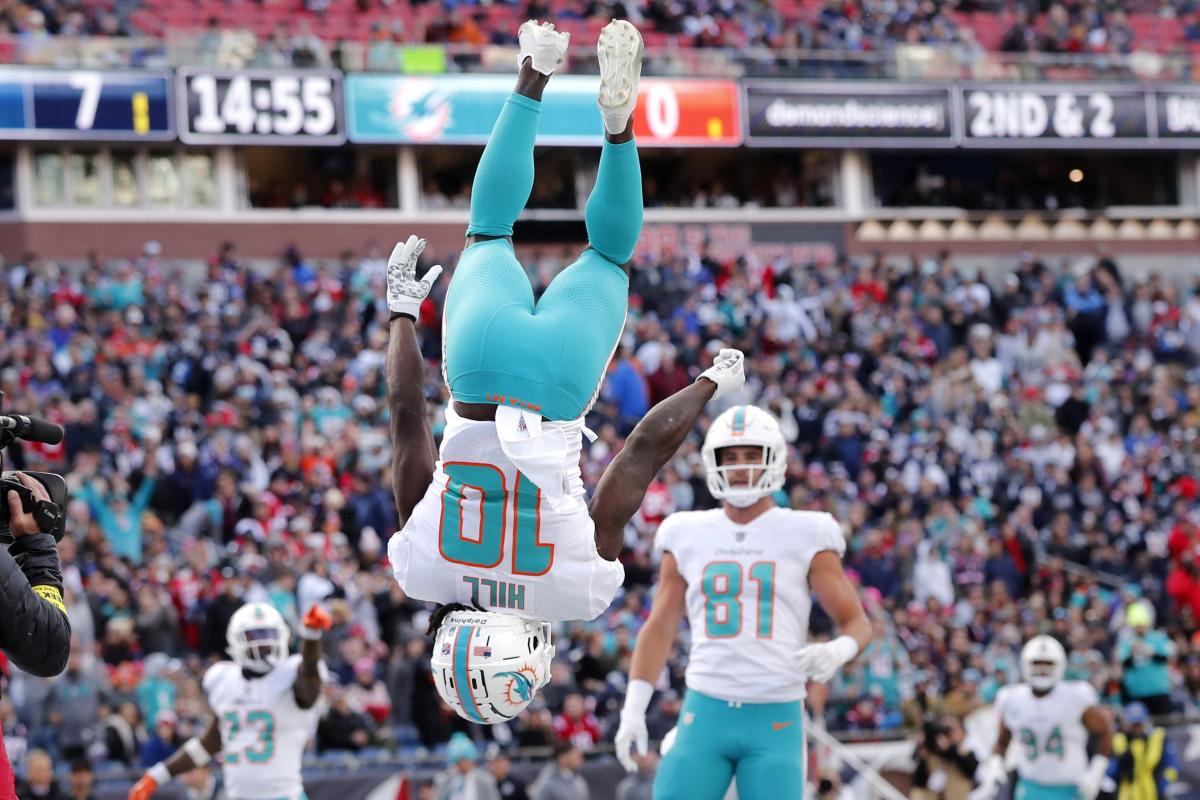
[(1052, 720)]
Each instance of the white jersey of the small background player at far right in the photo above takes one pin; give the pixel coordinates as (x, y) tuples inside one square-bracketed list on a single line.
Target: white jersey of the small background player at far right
[(1048, 732)]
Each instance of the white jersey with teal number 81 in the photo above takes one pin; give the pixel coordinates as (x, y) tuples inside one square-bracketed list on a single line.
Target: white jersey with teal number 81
[(748, 598)]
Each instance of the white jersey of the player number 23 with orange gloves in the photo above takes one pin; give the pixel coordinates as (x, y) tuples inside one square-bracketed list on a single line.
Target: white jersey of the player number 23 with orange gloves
[(263, 731)]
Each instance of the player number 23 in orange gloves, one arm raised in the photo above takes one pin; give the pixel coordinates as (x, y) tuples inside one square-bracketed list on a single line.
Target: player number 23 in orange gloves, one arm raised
[(265, 706)]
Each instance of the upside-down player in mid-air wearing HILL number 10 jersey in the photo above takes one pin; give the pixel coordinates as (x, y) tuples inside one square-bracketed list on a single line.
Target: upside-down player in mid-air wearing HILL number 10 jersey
[(499, 521)]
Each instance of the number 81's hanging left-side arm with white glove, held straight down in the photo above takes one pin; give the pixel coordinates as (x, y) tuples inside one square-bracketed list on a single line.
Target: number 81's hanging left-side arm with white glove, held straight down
[(651, 654)]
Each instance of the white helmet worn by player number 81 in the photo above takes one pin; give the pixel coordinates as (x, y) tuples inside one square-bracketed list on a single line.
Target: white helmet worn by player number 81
[(739, 426)]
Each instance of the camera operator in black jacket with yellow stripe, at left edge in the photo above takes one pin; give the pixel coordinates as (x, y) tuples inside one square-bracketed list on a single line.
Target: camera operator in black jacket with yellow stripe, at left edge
[(34, 630)]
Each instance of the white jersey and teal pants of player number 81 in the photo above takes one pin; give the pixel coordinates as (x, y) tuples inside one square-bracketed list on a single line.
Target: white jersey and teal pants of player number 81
[(748, 609)]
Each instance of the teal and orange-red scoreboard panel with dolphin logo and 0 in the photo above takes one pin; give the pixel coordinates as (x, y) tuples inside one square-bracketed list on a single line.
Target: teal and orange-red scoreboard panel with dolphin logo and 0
[(461, 110)]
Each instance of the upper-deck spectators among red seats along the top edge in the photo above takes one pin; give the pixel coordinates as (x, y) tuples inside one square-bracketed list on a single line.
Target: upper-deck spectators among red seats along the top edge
[(970, 27)]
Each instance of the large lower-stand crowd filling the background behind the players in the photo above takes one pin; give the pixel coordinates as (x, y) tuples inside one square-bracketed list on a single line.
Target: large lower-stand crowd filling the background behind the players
[(1005, 458)]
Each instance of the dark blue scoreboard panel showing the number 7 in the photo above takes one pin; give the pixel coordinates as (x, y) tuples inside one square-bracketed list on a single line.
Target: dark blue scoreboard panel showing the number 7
[(77, 105)]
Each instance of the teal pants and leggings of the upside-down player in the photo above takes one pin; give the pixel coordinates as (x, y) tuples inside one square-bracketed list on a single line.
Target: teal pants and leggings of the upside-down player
[(548, 357)]
